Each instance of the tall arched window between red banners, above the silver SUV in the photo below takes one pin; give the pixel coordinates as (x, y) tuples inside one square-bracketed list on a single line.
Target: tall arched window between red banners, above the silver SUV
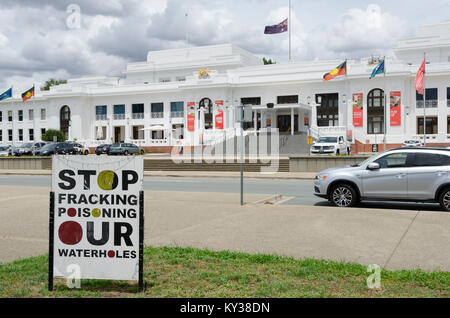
[(375, 111)]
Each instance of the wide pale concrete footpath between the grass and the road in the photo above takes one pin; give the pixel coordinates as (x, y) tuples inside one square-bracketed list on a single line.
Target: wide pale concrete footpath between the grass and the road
[(392, 239)]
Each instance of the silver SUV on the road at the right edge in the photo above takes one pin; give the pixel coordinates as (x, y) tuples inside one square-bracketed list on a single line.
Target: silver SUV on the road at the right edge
[(402, 174)]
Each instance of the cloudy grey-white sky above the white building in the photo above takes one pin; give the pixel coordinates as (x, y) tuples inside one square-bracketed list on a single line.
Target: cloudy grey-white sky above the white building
[(47, 38)]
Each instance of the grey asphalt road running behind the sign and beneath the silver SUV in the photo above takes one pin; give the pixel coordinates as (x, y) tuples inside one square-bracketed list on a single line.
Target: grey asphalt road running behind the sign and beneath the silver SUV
[(299, 190)]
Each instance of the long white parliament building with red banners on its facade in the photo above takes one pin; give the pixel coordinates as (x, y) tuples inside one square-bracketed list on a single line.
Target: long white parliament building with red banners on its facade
[(189, 96)]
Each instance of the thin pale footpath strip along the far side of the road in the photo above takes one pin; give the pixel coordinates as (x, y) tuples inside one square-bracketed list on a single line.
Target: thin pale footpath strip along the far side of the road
[(189, 174)]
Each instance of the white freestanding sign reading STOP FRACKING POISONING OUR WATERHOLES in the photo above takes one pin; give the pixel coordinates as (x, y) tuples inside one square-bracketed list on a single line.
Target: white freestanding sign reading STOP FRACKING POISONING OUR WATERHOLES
[(96, 218)]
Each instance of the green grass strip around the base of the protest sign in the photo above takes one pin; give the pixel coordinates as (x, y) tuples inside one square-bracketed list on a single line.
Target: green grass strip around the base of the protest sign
[(187, 272)]
